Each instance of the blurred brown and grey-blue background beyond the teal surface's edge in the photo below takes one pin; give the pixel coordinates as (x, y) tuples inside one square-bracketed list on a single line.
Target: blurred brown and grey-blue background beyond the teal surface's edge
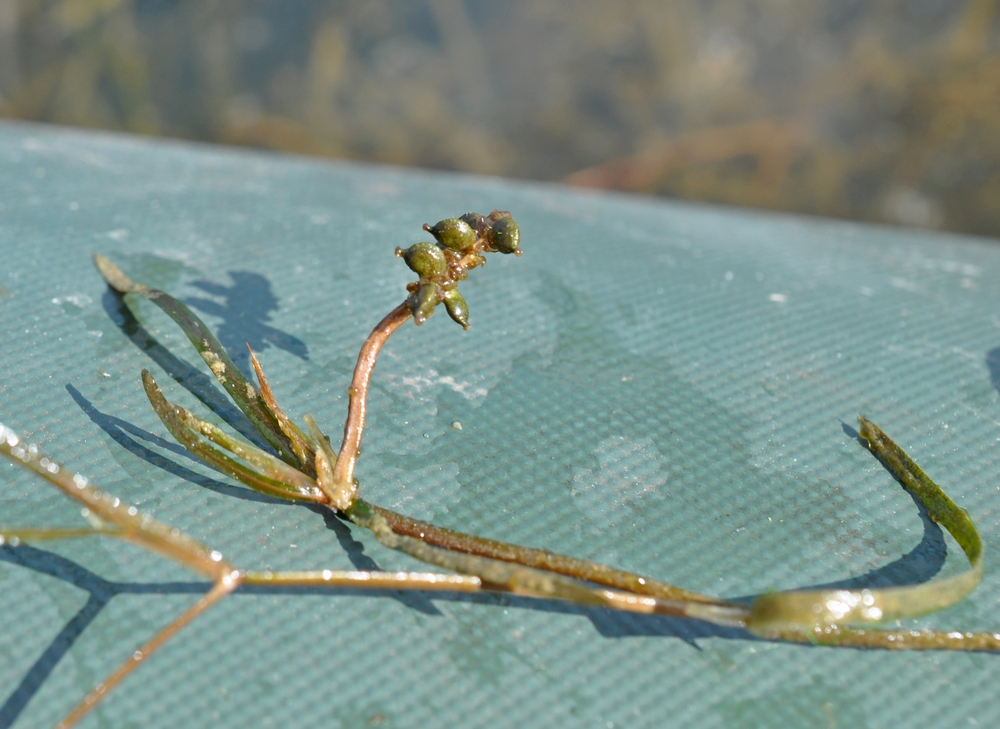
[(884, 111)]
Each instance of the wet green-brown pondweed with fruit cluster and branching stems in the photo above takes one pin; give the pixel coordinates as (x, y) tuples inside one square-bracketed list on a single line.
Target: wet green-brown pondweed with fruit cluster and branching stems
[(304, 466)]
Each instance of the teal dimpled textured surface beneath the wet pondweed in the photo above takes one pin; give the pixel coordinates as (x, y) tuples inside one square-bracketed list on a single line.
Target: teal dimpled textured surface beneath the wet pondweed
[(666, 387)]
